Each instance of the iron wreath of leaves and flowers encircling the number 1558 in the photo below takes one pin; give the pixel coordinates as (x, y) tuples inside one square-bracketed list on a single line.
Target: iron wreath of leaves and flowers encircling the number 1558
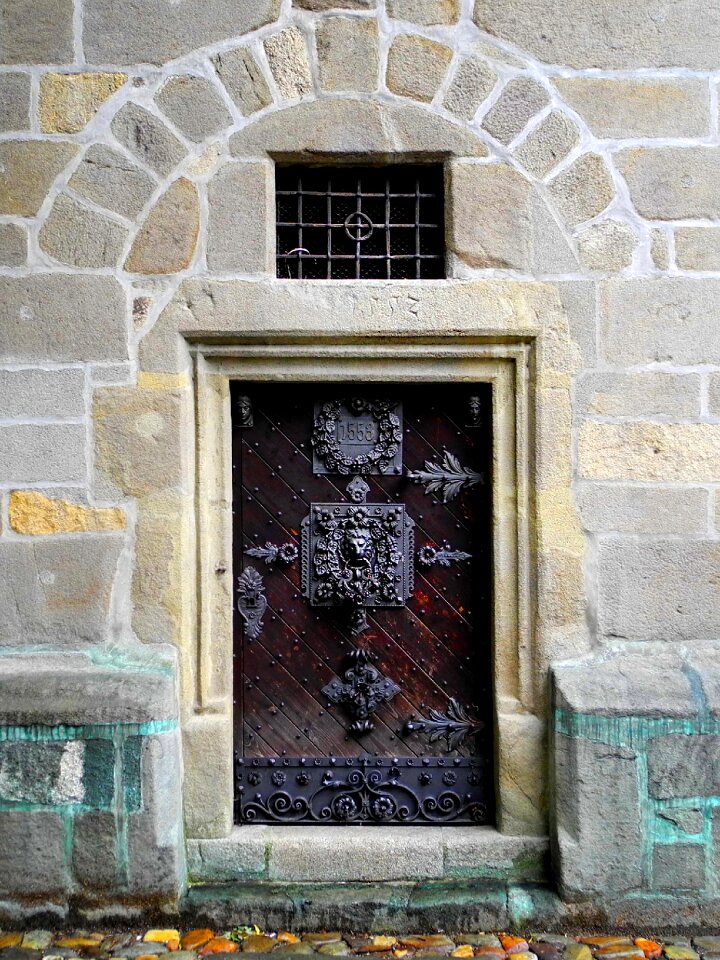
[(327, 448)]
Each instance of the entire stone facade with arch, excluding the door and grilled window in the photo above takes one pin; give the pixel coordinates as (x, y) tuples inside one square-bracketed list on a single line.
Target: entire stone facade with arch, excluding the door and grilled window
[(581, 152)]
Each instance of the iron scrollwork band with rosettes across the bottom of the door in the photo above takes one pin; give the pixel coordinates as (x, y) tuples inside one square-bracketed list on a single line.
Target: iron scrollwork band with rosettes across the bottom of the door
[(329, 790)]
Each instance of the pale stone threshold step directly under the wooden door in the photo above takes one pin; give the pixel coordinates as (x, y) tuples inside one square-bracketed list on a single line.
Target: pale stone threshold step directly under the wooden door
[(367, 854)]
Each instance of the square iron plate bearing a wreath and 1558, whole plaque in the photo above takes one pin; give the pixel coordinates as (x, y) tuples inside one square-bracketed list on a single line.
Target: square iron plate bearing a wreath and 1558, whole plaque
[(356, 436)]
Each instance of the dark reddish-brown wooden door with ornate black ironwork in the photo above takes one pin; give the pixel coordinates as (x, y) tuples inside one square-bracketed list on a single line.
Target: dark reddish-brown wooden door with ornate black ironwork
[(362, 561)]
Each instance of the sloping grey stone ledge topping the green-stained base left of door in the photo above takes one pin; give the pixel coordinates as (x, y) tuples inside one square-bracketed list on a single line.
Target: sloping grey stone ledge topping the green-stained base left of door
[(118, 684)]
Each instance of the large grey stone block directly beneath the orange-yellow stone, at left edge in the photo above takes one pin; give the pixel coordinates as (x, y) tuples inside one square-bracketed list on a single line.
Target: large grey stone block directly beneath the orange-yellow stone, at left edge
[(62, 589)]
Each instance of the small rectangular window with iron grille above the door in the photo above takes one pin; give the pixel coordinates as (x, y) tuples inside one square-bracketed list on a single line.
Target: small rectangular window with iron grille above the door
[(360, 223)]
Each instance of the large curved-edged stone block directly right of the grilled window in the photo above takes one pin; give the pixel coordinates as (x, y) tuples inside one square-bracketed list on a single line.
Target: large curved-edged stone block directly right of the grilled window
[(496, 219)]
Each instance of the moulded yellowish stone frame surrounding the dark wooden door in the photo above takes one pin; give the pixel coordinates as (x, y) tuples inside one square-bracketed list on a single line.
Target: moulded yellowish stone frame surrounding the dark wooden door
[(506, 366)]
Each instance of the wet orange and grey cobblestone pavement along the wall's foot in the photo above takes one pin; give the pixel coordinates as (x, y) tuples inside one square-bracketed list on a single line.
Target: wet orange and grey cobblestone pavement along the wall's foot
[(251, 941)]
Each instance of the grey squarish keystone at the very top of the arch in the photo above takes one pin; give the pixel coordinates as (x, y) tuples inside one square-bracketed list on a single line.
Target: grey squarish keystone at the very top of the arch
[(348, 55)]
